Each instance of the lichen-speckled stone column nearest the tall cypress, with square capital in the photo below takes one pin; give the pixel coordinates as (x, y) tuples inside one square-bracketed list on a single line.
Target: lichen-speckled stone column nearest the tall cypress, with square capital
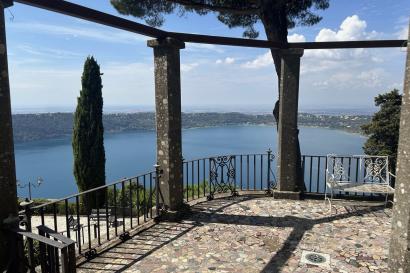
[(168, 119)]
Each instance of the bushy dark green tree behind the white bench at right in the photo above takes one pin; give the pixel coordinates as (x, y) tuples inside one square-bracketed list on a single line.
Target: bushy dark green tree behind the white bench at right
[(383, 130)]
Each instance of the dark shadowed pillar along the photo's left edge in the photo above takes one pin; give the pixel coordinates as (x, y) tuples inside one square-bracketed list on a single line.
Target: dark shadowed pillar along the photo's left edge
[(8, 191)]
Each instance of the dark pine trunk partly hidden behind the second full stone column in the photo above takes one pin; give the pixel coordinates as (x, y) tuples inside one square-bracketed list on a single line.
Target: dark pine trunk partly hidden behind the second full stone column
[(274, 20)]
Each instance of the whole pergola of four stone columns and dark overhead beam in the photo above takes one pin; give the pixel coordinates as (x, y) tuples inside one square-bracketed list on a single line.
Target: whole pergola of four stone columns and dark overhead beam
[(166, 46)]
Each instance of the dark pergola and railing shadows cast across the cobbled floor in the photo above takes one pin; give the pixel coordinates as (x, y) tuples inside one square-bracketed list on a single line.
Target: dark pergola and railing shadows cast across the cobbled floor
[(119, 258)]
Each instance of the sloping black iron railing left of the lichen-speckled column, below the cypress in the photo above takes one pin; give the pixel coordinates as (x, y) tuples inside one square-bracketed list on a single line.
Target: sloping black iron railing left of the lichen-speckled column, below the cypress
[(97, 216)]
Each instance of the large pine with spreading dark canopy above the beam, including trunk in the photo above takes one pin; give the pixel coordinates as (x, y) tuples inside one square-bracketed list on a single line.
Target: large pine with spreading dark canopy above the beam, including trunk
[(277, 16)]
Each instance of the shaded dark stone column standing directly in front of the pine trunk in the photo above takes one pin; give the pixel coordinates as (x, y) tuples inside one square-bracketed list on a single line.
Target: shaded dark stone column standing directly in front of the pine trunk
[(287, 127)]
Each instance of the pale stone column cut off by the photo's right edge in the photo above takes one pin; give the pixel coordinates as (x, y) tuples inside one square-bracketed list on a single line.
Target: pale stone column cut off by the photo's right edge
[(399, 261)]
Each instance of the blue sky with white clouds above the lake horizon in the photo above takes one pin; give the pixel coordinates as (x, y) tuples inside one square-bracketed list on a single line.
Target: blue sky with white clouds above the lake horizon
[(47, 51)]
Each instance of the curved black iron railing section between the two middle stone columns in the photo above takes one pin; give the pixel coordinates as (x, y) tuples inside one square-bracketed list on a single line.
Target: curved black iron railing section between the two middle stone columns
[(229, 173)]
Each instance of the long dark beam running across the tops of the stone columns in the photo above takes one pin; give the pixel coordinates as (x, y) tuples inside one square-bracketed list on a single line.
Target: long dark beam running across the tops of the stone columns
[(92, 15)]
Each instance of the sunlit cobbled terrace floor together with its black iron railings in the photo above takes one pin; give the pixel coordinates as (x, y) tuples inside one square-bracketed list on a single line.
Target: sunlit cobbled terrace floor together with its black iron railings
[(230, 216)]
